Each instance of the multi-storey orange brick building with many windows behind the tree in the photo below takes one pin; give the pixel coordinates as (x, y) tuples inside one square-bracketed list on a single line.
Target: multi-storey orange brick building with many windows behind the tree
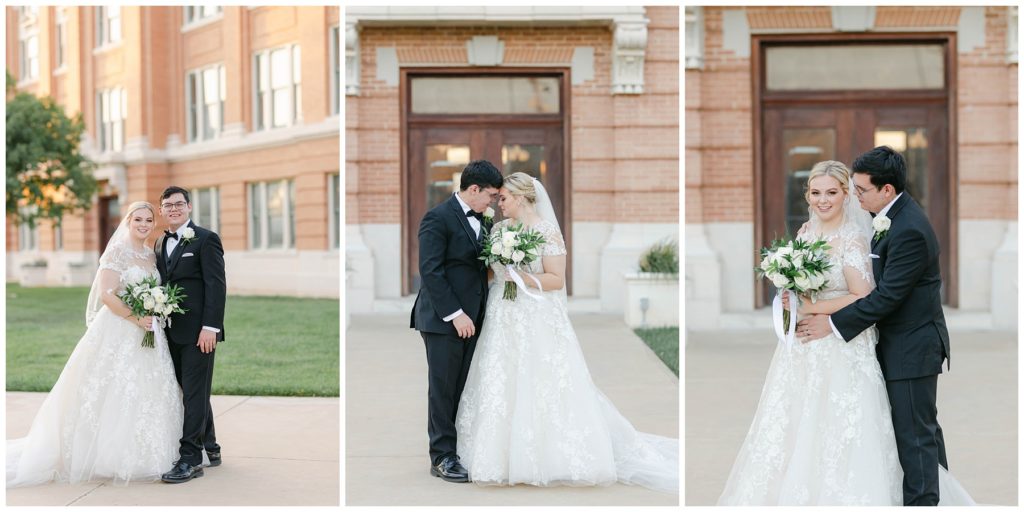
[(239, 105)]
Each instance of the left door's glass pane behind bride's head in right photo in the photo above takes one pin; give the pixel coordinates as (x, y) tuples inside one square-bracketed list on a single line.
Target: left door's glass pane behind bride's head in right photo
[(802, 149)]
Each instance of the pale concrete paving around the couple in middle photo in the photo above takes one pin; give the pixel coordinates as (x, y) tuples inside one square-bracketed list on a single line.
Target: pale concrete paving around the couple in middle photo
[(387, 460)]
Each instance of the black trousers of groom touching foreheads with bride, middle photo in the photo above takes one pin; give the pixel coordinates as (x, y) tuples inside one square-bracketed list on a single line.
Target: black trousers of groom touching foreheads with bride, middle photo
[(448, 365)]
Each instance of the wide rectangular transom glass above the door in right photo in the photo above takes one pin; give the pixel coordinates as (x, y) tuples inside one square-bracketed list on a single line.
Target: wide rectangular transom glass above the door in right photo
[(856, 67)]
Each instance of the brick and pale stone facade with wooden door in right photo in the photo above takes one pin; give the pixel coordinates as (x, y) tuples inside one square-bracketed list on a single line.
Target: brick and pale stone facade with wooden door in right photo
[(770, 92)]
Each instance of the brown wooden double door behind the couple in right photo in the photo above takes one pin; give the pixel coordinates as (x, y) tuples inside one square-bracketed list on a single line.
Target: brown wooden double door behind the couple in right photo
[(797, 137)]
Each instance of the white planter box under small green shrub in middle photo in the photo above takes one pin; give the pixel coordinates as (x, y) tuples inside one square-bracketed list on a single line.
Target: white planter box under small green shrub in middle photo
[(660, 291)]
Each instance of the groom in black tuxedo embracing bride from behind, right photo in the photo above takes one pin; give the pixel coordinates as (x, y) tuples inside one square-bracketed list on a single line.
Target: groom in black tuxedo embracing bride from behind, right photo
[(908, 311)]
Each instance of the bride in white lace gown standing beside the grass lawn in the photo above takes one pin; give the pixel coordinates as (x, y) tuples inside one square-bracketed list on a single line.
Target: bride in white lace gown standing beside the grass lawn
[(115, 412)]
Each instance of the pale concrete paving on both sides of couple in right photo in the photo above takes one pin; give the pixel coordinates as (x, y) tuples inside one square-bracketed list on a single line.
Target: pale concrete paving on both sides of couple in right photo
[(977, 403)]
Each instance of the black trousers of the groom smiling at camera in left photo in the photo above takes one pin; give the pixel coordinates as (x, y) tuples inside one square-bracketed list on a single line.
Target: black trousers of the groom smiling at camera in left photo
[(195, 373)]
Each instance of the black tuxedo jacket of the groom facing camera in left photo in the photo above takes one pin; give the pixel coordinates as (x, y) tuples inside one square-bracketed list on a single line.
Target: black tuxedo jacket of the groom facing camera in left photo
[(199, 269)]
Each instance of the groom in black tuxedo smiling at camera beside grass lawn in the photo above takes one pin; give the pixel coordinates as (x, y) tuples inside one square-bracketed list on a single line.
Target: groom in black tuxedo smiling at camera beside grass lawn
[(193, 259)]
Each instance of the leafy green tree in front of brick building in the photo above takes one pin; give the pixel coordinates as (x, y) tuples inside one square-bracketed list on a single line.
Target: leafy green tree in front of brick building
[(48, 178)]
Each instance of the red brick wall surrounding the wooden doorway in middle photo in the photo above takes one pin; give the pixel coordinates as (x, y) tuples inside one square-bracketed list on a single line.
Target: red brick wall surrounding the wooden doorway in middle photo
[(625, 149)]
